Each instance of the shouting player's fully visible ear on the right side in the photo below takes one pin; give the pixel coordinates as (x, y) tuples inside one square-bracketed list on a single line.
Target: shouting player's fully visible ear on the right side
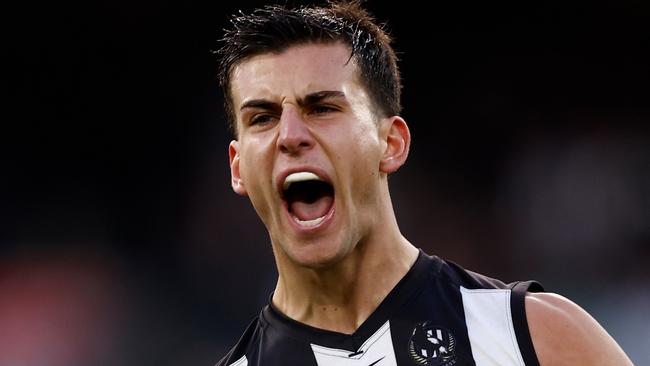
[(397, 138)]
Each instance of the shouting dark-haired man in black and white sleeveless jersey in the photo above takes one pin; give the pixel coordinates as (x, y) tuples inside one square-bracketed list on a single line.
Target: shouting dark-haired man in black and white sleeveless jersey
[(313, 94)]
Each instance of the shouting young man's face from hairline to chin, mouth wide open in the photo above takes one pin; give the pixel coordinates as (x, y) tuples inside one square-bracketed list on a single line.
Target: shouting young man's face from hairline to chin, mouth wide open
[(308, 151)]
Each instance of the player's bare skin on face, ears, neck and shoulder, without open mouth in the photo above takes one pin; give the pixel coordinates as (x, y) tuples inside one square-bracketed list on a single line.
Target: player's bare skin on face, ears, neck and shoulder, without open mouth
[(305, 109)]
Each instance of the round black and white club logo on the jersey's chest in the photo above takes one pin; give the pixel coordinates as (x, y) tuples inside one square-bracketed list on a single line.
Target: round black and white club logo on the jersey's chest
[(432, 345)]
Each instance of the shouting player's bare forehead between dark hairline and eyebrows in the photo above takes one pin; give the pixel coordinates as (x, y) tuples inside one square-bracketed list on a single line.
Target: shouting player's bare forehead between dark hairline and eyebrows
[(297, 71)]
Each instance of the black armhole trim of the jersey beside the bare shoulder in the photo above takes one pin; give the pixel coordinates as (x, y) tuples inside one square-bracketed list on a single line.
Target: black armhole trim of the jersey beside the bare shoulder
[(518, 308)]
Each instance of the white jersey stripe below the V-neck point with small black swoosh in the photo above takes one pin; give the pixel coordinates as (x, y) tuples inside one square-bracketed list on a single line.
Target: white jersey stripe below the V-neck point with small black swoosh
[(378, 347)]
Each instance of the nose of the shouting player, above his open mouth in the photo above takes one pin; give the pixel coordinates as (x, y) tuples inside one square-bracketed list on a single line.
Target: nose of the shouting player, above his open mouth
[(294, 136)]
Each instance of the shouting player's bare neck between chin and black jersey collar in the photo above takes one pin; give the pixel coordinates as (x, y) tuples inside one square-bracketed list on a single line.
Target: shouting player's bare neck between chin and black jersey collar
[(343, 295)]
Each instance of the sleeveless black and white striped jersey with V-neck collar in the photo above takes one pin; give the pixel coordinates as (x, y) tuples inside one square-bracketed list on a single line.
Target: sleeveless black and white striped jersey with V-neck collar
[(439, 314)]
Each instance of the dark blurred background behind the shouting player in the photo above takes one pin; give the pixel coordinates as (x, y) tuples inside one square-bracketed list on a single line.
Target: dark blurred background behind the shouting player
[(121, 242)]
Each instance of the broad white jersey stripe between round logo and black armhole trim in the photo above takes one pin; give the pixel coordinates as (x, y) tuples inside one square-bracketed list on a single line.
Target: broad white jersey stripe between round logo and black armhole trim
[(490, 329)]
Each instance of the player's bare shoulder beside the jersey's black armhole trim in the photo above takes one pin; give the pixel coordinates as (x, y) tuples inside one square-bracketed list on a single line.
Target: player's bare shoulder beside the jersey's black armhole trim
[(565, 334)]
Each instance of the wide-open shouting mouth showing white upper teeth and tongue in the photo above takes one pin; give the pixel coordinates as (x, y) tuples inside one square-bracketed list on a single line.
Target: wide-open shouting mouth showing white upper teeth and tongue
[(309, 198)]
